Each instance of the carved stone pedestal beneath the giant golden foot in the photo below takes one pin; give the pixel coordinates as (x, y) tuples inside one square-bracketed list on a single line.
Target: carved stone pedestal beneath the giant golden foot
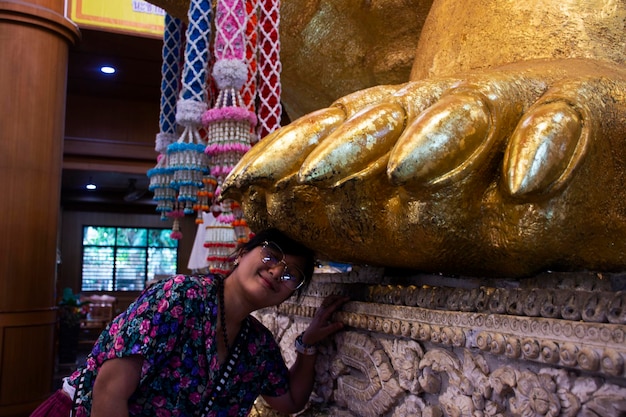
[(428, 345)]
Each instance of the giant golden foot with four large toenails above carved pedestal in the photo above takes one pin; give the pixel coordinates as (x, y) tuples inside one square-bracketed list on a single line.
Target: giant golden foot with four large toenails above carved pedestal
[(505, 171)]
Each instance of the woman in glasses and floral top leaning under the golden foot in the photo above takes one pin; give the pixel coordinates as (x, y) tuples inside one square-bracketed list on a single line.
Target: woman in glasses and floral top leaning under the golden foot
[(188, 346)]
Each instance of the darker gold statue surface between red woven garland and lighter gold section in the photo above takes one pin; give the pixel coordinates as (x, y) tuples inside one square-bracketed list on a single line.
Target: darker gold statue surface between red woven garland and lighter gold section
[(331, 48)]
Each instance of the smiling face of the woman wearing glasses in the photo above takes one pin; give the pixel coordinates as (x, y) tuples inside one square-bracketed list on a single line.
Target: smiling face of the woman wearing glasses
[(269, 276)]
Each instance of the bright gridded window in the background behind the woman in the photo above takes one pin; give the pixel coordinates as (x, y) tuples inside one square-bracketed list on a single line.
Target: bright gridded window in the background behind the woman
[(125, 258)]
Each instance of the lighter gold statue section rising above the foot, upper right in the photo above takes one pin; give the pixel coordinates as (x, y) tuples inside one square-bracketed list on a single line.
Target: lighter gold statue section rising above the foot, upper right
[(467, 35)]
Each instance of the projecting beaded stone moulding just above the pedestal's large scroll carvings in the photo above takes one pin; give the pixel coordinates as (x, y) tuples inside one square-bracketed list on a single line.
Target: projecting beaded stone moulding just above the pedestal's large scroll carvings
[(590, 348)]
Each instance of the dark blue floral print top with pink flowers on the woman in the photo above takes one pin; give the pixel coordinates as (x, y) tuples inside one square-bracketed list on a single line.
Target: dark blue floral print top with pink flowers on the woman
[(172, 325)]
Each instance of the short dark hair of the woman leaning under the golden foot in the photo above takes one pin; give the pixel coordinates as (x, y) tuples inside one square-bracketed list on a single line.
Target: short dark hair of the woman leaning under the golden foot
[(289, 247)]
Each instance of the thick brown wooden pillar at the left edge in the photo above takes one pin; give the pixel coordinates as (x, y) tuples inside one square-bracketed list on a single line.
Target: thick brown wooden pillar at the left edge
[(34, 42)]
